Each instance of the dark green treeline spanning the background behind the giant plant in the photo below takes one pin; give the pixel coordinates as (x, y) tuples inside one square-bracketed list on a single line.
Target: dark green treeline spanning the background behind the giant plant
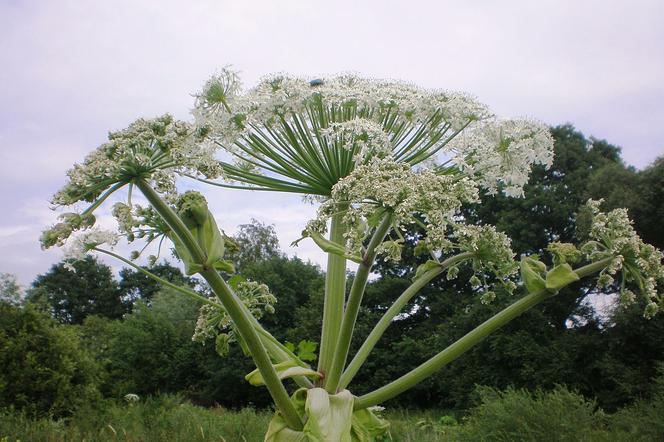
[(81, 335)]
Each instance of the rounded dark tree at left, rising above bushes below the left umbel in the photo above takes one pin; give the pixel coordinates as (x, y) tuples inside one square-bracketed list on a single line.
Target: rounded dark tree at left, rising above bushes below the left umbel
[(73, 290)]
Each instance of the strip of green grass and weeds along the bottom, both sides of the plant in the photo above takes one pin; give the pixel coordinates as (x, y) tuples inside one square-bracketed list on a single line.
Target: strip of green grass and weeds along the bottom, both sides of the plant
[(509, 415)]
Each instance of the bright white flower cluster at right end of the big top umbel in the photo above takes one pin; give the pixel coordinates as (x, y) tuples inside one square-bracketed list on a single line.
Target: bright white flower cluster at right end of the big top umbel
[(501, 153)]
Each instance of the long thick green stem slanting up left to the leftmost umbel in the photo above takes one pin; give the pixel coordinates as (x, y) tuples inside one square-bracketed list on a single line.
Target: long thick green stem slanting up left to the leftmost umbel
[(233, 305)]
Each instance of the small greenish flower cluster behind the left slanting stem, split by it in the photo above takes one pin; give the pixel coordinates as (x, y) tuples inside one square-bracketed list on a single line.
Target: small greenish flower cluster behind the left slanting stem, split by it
[(214, 322)]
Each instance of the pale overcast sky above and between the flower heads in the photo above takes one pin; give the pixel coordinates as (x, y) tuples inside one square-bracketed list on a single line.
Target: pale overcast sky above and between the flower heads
[(70, 71)]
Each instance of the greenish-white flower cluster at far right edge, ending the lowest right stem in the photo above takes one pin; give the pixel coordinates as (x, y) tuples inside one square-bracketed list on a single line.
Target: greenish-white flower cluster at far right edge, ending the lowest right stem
[(612, 236)]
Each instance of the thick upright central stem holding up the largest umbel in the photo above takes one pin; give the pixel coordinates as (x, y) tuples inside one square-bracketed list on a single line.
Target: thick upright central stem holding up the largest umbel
[(335, 293)]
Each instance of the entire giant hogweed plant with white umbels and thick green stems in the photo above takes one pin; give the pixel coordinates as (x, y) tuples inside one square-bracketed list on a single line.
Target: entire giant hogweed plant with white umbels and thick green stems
[(376, 156)]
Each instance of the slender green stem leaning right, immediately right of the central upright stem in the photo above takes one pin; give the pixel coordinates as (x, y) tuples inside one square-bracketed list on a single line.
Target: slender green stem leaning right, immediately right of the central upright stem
[(353, 305)]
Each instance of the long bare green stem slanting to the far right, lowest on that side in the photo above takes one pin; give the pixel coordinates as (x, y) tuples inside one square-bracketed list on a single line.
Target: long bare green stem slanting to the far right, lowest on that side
[(467, 342)]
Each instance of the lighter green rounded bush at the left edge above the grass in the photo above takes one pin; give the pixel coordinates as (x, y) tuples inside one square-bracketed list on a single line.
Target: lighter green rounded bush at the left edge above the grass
[(45, 371)]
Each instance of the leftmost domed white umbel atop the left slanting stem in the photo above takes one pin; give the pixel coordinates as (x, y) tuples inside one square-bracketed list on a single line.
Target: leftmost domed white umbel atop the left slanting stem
[(155, 150)]
